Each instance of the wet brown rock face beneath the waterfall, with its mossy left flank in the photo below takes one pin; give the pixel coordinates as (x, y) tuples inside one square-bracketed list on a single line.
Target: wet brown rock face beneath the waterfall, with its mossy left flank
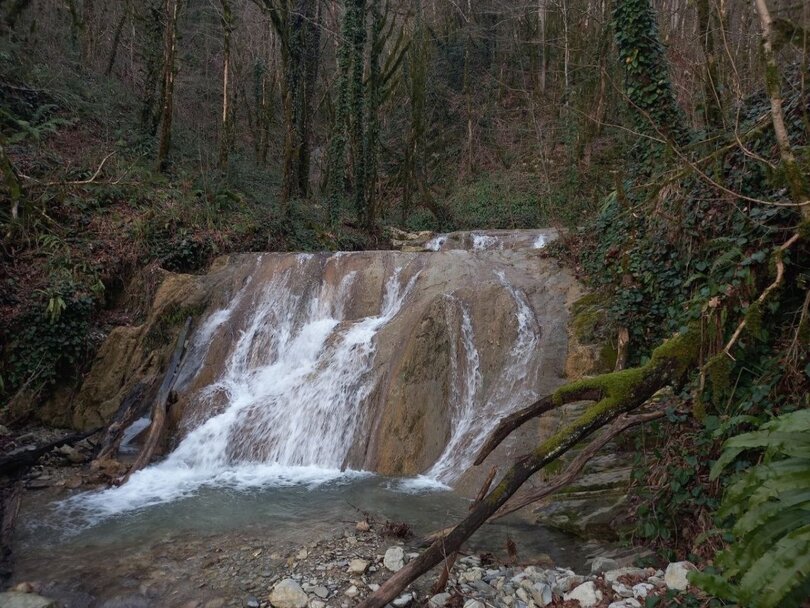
[(437, 341)]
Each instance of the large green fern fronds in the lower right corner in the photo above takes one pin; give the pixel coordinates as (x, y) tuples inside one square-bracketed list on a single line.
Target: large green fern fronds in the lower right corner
[(768, 565)]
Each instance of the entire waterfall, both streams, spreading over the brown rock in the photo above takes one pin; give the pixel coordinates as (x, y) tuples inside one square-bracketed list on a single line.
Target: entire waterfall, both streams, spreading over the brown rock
[(288, 381)]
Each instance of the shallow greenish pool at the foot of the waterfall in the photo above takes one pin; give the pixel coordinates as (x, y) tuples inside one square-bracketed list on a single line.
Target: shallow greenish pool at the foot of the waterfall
[(76, 555)]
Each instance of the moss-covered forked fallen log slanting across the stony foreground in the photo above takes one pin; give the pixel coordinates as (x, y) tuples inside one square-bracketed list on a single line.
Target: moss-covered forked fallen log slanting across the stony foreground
[(619, 393)]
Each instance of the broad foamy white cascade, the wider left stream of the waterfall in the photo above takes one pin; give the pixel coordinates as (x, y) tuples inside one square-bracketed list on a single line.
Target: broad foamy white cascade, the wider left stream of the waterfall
[(294, 391)]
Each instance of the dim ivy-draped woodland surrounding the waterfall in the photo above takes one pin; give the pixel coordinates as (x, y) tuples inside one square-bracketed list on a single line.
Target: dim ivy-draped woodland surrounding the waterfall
[(666, 142)]
